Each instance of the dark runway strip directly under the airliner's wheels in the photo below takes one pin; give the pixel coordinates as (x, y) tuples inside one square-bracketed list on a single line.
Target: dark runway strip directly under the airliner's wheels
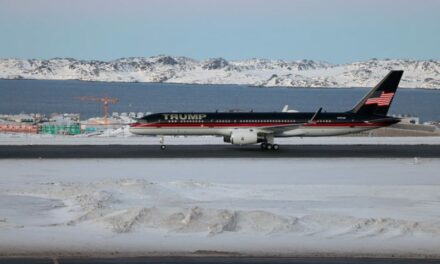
[(218, 151)]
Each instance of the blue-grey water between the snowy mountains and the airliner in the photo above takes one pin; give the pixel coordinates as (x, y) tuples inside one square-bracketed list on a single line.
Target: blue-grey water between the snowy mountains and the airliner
[(40, 96)]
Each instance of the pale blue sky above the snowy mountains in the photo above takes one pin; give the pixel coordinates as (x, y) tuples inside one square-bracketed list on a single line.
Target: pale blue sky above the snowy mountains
[(337, 31)]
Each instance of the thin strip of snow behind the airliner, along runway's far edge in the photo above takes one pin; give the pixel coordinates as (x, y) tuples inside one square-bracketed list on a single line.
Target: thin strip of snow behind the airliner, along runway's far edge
[(121, 136)]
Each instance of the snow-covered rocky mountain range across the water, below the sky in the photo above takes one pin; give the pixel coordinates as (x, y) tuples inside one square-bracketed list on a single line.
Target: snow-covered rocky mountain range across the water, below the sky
[(257, 72)]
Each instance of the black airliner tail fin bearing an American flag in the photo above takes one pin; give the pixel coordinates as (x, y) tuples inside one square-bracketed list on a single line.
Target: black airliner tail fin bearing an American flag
[(378, 100)]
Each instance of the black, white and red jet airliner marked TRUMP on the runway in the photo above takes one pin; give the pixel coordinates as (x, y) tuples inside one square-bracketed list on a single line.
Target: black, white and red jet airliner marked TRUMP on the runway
[(243, 128)]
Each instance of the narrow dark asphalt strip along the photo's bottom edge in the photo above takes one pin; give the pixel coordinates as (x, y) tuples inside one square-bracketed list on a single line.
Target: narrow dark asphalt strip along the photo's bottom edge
[(217, 260)]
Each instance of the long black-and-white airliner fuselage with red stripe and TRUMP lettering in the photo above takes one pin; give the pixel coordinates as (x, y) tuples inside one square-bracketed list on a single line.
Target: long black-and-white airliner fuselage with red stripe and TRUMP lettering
[(223, 124)]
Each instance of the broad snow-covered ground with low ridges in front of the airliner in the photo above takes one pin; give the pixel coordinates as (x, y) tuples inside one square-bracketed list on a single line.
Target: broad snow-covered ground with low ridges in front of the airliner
[(388, 207)]
